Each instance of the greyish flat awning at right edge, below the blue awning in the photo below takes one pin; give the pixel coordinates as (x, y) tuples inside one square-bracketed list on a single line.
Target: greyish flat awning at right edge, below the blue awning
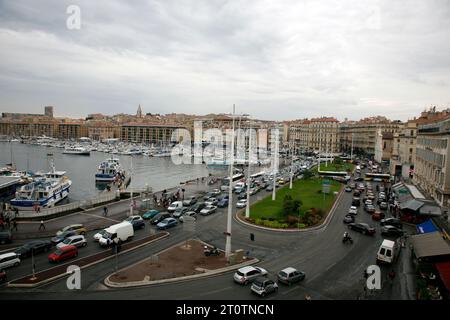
[(430, 245)]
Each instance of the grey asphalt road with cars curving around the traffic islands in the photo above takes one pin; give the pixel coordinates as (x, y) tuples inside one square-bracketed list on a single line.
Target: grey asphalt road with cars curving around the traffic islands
[(333, 270)]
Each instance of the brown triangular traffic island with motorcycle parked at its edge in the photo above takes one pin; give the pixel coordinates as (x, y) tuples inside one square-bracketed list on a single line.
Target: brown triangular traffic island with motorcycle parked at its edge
[(184, 261)]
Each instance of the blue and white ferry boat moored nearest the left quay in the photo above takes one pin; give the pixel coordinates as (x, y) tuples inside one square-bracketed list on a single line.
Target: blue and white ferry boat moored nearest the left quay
[(45, 192)]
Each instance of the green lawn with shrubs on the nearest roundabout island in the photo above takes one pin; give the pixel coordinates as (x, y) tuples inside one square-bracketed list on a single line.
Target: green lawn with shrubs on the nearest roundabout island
[(304, 190)]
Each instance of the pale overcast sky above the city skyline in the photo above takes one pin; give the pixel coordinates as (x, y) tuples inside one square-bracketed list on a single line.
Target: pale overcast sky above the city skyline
[(274, 59)]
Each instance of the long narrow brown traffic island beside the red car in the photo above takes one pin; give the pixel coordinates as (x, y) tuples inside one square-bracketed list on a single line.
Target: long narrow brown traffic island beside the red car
[(60, 271)]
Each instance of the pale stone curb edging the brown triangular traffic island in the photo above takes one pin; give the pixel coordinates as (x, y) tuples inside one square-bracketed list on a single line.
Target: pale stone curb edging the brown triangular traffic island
[(141, 283)]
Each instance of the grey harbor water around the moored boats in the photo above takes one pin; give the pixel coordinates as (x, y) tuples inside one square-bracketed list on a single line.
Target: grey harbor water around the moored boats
[(157, 172)]
